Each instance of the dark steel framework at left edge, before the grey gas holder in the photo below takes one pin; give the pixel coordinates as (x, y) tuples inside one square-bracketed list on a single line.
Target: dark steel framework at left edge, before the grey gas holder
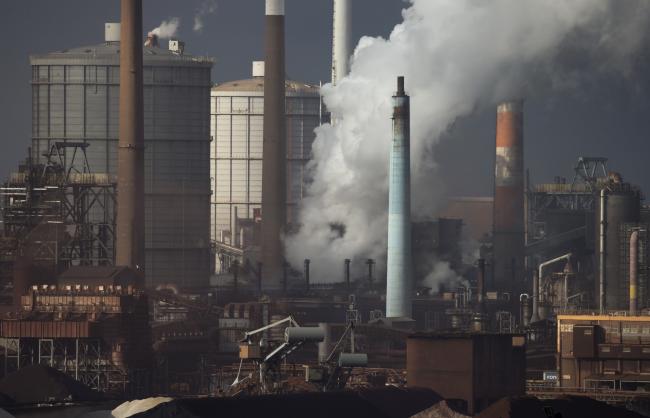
[(61, 212)]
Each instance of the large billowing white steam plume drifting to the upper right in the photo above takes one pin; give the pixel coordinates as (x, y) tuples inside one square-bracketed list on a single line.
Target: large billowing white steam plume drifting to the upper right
[(458, 56)]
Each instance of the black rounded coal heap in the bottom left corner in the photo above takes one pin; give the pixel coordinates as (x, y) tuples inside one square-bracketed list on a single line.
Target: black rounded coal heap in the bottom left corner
[(38, 384)]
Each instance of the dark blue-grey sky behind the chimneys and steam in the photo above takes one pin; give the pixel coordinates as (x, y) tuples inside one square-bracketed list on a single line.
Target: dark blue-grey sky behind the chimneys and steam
[(607, 117)]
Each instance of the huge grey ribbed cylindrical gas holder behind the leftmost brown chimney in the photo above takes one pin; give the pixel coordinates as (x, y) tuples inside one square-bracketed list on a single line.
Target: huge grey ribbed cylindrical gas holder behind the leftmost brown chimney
[(76, 99)]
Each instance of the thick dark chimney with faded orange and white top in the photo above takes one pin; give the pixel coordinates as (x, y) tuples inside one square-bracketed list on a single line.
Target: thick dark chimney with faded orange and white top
[(509, 230)]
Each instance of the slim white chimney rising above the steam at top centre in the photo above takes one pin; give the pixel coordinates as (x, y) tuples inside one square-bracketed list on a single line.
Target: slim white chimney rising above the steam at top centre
[(341, 39)]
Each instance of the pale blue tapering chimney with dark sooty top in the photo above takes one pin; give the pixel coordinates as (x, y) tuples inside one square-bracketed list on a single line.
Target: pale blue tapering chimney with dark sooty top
[(399, 268)]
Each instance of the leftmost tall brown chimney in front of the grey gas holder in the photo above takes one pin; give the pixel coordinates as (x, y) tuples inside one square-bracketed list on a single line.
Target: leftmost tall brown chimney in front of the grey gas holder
[(130, 155)]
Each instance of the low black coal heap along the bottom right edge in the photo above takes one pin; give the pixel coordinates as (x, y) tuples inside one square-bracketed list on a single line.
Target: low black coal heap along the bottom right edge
[(564, 407)]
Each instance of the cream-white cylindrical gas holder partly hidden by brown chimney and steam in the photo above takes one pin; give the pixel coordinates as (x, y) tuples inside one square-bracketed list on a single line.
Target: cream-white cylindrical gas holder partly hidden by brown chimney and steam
[(236, 120)]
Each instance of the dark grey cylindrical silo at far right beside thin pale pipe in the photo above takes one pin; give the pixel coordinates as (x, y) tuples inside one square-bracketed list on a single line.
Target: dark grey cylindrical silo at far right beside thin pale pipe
[(622, 205)]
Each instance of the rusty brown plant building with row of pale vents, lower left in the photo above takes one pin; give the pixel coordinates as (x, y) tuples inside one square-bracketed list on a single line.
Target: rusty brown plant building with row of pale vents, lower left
[(89, 322)]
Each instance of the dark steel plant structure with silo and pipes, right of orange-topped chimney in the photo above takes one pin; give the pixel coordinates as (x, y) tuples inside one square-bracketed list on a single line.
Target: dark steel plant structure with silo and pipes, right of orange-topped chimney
[(569, 238)]
